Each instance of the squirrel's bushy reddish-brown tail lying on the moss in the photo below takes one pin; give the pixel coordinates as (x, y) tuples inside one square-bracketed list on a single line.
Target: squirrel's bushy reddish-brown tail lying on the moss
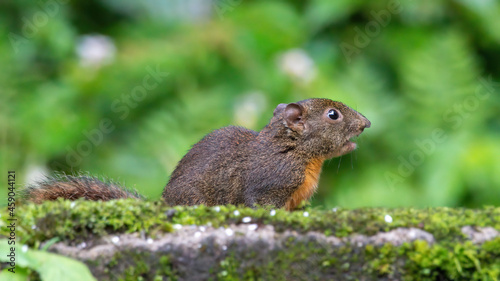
[(74, 187)]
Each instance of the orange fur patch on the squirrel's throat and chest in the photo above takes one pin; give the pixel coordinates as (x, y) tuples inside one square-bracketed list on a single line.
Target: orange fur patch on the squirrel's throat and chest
[(308, 187)]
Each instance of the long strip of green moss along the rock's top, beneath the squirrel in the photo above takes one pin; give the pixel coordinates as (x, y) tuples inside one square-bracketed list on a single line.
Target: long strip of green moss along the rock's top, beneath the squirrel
[(81, 219)]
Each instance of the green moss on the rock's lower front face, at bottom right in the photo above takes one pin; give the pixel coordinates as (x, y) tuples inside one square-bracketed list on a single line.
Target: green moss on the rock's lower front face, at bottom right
[(419, 262)]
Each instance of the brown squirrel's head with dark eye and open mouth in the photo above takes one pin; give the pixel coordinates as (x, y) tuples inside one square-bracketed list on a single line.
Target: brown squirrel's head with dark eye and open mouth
[(321, 127)]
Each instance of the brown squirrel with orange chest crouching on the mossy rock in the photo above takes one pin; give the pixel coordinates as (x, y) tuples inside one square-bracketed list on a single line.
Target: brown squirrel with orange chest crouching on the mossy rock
[(278, 166)]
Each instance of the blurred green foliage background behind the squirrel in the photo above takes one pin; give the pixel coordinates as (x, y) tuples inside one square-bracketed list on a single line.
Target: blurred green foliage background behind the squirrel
[(423, 72)]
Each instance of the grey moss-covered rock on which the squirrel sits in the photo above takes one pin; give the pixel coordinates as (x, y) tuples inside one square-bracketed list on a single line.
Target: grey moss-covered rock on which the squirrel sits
[(134, 240)]
